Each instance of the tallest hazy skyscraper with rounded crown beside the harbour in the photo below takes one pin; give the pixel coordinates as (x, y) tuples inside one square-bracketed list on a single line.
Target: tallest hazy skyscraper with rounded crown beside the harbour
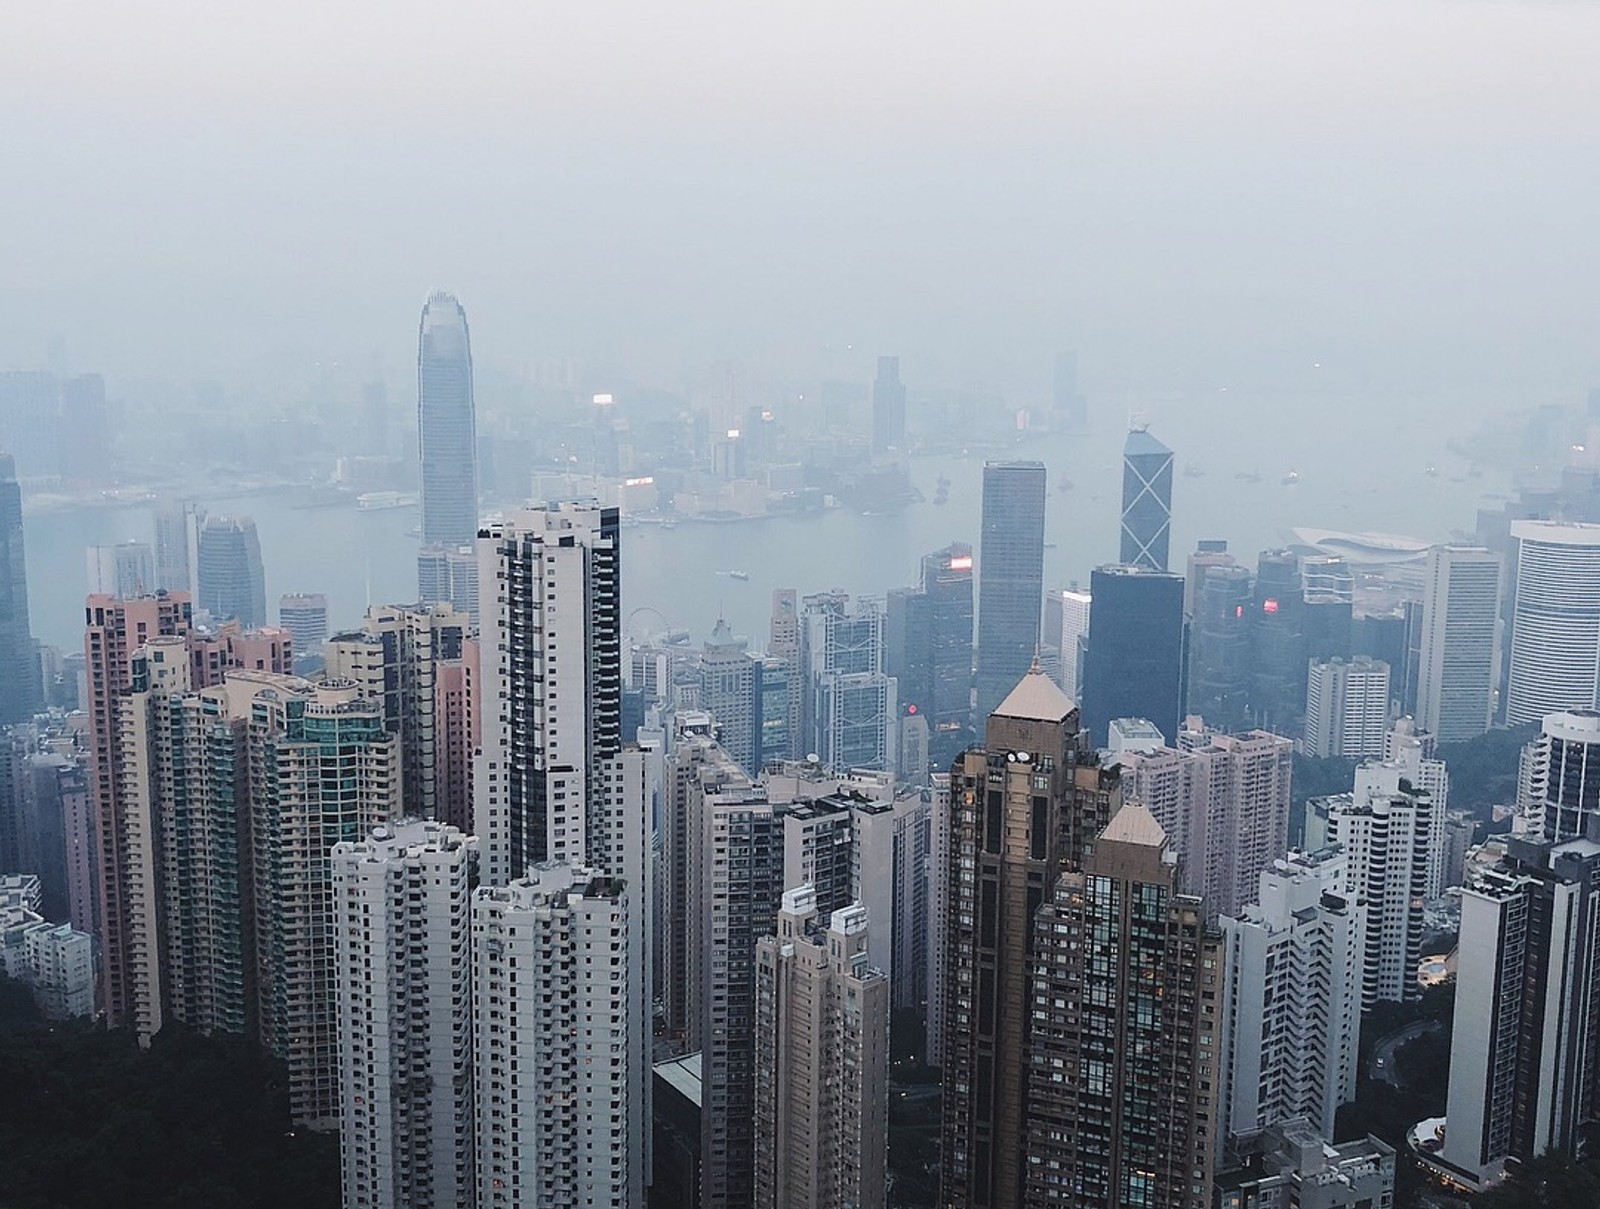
[(446, 423)]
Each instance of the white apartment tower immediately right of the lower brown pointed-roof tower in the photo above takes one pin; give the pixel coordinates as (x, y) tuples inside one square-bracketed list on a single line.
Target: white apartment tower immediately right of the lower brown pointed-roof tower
[(1292, 1005)]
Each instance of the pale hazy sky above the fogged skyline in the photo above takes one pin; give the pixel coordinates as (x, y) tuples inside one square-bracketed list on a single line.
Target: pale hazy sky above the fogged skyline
[(1186, 193)]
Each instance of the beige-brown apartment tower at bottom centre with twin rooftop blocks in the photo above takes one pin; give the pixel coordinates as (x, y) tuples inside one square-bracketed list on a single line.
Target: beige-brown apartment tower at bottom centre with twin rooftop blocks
[(822, 1063)]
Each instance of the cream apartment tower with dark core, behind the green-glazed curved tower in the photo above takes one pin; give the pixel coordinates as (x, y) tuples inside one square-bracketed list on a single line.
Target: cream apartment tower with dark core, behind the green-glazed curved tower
[(398, 660)]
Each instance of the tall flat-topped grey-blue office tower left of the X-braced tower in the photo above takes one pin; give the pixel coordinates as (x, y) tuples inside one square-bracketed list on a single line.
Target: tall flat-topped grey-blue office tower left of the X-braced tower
[(1012, 578)]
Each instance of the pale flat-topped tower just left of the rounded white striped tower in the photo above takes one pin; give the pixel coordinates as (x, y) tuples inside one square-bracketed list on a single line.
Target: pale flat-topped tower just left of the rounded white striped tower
[(1455, 696)]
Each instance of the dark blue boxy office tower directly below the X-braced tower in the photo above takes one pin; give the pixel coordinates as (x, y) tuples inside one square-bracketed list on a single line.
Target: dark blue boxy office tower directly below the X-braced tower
[(1135, 661)]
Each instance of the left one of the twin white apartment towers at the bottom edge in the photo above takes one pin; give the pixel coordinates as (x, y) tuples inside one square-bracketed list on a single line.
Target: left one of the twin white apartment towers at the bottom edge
[(402, 960)]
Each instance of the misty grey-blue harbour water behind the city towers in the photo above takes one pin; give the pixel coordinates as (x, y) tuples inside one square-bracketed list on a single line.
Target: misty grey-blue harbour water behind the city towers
[(1362, 469)]
